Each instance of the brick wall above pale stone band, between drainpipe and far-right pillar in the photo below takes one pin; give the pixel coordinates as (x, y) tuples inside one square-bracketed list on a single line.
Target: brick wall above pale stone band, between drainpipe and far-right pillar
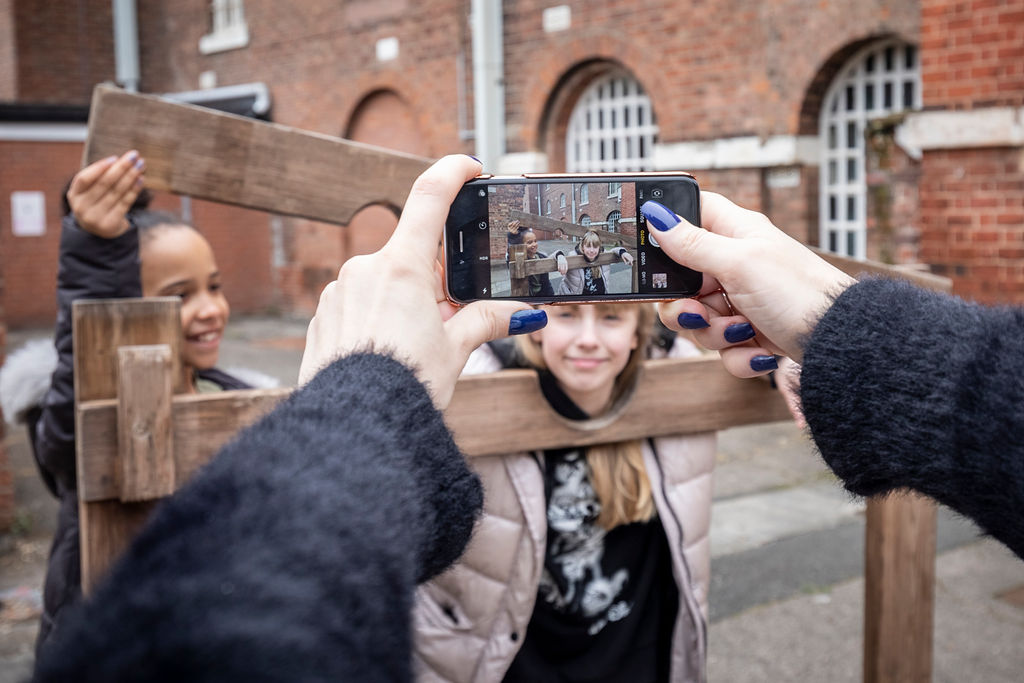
[(712, 69)]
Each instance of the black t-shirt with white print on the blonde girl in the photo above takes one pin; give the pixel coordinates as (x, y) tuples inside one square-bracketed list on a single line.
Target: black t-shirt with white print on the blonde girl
[(608, 601)]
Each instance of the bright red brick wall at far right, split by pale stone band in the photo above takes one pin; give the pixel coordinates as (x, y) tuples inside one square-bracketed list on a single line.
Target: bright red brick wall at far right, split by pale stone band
[(972, 201)]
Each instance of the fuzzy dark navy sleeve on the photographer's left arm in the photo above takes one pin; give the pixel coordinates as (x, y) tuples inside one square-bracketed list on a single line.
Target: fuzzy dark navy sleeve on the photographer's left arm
[(294, 554)]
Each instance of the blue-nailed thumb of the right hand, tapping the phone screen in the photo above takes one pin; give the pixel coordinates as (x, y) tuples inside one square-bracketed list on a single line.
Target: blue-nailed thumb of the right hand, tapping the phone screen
[(687, 244)]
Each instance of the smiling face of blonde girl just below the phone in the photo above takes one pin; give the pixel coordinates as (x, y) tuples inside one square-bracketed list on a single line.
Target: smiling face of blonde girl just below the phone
[(586, 348)]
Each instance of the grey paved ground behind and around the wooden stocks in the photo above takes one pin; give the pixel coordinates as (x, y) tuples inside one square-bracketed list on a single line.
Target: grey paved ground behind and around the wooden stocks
[(788, 546)]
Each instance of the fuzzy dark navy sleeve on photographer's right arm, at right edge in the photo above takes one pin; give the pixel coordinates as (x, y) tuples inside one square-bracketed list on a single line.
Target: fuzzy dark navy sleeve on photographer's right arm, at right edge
[(905, 389)]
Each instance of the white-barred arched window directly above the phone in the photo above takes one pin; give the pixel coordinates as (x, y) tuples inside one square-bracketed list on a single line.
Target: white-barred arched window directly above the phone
[(612, 129)]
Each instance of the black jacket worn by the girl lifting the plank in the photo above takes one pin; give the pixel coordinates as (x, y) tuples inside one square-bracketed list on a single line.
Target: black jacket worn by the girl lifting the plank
[(91, 268)]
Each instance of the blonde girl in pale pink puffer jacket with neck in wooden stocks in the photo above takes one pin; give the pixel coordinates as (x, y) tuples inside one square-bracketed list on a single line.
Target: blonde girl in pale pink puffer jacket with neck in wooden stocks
[(589, 563)]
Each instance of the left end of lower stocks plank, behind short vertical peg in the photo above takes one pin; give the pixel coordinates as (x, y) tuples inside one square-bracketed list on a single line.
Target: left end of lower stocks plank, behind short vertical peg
[(201, 424)]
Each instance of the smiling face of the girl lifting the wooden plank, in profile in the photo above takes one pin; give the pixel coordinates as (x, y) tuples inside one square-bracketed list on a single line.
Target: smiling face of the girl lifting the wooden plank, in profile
[(179, 262)]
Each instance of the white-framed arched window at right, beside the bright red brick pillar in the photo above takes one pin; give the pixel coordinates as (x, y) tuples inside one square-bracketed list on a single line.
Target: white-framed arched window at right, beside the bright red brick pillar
[(880, 80)]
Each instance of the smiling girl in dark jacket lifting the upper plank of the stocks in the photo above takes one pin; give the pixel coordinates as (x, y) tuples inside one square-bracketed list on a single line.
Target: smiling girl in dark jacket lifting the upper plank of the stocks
[(113, 247)]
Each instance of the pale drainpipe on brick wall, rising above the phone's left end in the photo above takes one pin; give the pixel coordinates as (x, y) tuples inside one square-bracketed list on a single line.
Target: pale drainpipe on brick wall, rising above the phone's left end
[(489, 80)]
